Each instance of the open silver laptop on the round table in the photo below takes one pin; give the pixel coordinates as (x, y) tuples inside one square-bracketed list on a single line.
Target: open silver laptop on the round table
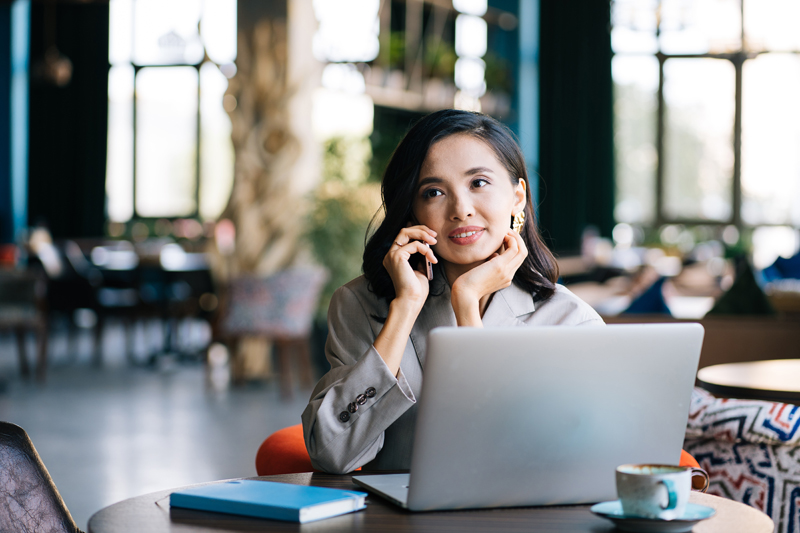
[(543, 415)]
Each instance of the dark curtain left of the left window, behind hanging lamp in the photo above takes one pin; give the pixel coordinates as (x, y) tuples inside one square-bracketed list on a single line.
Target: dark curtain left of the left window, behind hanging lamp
[(68, 125)]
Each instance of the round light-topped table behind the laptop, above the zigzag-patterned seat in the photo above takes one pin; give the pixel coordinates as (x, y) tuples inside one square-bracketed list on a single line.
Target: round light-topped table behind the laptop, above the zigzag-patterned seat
[(776, 380)]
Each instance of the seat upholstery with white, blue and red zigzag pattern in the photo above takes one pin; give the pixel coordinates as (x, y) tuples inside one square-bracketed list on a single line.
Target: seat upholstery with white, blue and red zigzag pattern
[(751, 451)]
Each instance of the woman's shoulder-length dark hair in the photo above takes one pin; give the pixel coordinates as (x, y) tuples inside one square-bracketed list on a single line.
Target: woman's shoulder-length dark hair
[(539, 272)]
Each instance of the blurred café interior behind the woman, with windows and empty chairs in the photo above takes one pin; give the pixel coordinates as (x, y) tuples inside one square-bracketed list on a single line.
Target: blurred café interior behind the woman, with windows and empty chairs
[(184, 183)]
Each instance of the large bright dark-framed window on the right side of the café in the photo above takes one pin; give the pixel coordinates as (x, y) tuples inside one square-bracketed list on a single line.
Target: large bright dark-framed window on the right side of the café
[(707, 111)]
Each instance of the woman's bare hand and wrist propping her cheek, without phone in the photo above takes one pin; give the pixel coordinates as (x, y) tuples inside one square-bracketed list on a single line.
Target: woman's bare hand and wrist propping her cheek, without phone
[(470, 292)]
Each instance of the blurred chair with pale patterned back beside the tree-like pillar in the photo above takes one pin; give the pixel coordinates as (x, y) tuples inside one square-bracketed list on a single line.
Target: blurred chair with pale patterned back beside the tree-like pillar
[(279, 307)]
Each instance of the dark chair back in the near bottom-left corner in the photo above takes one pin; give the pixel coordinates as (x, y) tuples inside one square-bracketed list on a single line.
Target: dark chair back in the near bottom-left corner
[(31, 502)]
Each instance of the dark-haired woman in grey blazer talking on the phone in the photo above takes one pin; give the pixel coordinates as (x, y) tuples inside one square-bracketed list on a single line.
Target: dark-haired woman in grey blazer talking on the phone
[(453, 188)]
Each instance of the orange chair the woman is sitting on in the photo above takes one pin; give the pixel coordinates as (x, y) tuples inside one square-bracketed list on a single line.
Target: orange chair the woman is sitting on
[(284, 452)]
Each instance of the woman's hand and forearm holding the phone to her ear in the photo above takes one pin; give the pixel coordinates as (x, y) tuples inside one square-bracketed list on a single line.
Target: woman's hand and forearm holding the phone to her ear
[(411, 290)]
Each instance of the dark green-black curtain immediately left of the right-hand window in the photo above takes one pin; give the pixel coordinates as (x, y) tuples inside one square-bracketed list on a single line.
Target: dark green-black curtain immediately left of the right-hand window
[(576, 162)]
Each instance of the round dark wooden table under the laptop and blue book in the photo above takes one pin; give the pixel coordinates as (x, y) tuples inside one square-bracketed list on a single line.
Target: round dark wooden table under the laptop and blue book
[(152, 513)]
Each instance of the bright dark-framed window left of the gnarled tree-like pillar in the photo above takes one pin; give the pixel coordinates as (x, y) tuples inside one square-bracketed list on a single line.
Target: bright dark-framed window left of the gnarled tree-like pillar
[(169, 148)]
